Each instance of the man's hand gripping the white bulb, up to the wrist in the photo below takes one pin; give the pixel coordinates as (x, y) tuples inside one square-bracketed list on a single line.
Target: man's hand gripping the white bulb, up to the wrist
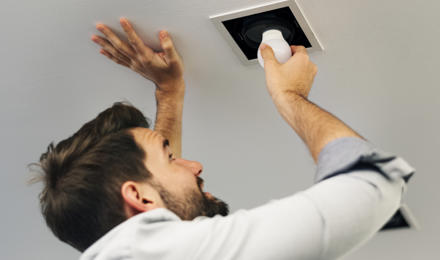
[(292, 77)]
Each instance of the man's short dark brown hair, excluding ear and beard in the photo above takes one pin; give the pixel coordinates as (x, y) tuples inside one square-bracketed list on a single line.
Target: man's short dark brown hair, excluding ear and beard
[(83, 174)]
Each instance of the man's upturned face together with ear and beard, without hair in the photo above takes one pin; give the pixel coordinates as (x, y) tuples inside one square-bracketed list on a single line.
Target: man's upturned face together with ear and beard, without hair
[(175, 185)]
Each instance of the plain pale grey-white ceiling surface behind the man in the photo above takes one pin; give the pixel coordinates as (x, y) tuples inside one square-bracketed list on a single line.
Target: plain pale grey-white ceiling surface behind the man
[(378, 73)]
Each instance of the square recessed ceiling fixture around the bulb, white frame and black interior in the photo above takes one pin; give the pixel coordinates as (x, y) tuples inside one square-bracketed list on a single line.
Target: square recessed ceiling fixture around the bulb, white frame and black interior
[(243, 29)]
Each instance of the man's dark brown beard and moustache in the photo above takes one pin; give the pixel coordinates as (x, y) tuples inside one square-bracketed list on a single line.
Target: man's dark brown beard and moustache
[(193, 204)]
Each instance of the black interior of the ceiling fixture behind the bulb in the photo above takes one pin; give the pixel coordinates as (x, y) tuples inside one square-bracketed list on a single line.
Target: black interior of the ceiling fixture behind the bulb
[(247, 31)]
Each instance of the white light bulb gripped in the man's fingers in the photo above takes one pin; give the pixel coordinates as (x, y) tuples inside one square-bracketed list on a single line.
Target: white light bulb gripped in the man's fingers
[(274, 38)]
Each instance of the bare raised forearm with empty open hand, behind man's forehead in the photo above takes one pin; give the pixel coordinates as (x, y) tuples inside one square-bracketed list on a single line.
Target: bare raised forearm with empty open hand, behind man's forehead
[(164, 68)]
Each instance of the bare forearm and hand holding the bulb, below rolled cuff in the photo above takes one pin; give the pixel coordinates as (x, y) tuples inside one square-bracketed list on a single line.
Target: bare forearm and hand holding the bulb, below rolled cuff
[(289, 85)]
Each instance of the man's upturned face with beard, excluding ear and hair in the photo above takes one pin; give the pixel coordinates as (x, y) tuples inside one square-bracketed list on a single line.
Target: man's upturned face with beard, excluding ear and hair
[(177, 180)]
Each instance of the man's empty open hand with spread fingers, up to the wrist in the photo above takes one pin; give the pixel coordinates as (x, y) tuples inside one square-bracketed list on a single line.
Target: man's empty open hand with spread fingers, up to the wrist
[(165, 68)]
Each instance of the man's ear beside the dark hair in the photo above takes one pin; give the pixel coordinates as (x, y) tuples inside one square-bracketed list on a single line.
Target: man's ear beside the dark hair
[(138, 198)]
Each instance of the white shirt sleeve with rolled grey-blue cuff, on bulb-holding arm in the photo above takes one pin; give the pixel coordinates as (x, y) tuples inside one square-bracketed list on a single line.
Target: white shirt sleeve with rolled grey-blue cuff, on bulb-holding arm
[(358, 189)]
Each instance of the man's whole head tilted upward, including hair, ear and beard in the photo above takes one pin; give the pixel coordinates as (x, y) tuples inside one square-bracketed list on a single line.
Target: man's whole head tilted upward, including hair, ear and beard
[(114, 167)]
